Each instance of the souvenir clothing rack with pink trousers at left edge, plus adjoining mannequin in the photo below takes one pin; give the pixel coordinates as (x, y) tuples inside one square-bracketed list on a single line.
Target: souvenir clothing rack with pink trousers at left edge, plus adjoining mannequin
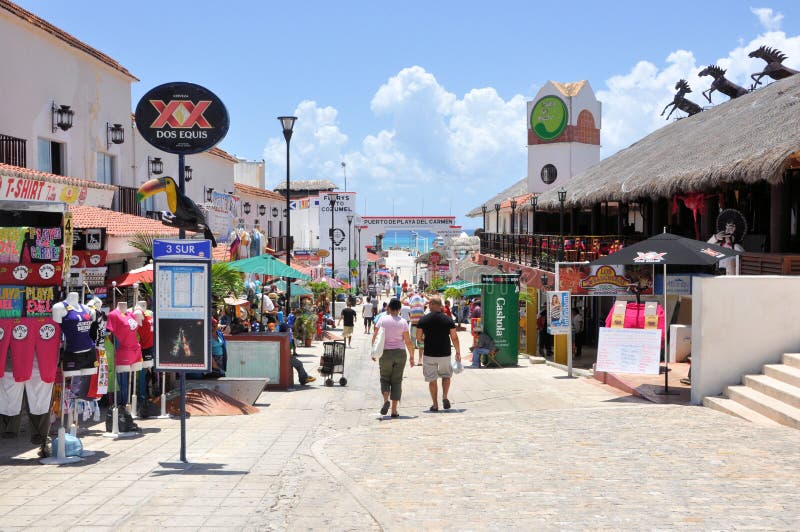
[(35, 255)]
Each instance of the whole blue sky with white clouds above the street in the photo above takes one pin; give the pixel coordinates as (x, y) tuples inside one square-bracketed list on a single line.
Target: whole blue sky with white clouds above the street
[(424, 100)]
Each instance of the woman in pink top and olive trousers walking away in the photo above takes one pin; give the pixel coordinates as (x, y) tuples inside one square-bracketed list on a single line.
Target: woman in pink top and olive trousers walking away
[(393, 360)]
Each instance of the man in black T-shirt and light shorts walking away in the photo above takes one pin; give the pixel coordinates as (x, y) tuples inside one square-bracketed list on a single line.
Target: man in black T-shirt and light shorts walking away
[(435, 331)]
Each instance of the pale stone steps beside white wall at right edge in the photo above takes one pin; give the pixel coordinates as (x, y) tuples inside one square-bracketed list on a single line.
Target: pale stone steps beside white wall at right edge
[(771, 398)]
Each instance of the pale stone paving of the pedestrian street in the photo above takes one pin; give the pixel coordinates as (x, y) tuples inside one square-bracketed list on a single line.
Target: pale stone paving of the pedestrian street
[(523, 448)]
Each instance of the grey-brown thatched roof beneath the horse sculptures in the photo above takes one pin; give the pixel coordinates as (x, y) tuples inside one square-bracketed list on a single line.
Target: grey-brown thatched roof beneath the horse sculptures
[(748, 139)]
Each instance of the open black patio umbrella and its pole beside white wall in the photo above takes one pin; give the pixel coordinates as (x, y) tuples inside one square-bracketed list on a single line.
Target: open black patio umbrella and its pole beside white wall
[(668, 249)]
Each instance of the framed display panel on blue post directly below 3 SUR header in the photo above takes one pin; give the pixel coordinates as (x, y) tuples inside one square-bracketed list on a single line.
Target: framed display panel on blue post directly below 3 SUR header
[(182, 333)]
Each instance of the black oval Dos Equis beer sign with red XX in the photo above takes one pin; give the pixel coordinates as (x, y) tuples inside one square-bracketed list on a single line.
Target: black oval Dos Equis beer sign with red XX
[(181, 118)]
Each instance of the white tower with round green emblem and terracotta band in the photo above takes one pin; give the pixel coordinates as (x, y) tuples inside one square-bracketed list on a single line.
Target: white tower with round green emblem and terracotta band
[(563, 134)]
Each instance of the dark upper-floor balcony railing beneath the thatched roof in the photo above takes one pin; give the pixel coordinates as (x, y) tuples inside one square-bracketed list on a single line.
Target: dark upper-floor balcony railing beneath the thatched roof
[(543, 251)]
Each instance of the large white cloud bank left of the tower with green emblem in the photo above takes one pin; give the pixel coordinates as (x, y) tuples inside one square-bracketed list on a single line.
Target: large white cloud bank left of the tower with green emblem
[(439, 146)]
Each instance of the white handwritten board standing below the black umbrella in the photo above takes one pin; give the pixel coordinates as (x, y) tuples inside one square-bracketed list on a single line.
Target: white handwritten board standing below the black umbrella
[(629, 351)]
